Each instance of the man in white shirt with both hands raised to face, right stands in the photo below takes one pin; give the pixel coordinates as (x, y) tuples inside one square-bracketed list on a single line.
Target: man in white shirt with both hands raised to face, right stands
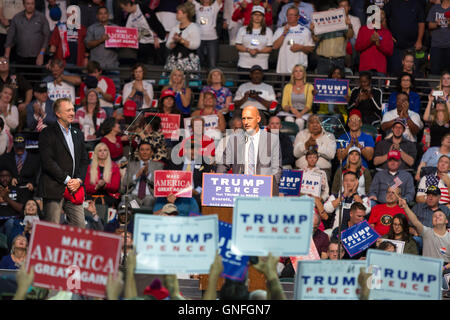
[(413, 121)]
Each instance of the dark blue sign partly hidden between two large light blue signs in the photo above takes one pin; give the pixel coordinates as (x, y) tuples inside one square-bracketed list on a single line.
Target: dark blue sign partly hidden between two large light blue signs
[(234, 266)]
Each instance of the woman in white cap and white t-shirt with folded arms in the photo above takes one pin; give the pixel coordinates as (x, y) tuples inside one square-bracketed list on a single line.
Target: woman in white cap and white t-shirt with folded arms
[(254, 42)]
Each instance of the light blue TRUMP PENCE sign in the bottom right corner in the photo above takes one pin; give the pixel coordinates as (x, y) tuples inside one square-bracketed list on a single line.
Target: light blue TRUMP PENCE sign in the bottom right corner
[(404, 276)]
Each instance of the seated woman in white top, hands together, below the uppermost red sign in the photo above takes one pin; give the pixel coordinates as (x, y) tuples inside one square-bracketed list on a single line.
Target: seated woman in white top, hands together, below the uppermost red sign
[(138, 90)]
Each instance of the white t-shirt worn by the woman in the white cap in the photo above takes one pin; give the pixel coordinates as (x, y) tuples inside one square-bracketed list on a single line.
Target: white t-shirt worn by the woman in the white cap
[(255, 40)]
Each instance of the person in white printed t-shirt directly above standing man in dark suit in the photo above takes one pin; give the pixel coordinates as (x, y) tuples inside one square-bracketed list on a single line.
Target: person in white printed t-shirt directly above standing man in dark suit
[(61, 85)]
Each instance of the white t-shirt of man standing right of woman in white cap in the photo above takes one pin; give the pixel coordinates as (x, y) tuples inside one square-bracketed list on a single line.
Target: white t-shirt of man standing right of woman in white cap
[(286, 58)]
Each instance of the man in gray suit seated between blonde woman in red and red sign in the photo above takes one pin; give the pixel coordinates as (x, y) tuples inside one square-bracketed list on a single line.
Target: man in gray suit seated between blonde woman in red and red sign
[(141, 176)]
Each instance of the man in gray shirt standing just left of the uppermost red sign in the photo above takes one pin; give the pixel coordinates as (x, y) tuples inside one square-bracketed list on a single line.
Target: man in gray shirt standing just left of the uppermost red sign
[(95, 42)]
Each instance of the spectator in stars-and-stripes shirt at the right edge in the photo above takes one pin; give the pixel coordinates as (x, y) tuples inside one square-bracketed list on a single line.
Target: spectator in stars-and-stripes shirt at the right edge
[(440, 179)]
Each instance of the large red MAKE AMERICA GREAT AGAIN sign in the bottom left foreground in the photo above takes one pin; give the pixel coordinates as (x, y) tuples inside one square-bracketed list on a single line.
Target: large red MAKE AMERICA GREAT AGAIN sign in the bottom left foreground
[(72, 259)]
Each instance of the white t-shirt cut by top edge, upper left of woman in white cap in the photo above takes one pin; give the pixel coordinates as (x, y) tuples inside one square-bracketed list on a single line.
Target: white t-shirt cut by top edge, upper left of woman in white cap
[(206, 18)]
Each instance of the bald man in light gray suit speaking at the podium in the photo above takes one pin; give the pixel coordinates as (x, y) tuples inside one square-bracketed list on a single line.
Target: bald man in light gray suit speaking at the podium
[(254, 152)]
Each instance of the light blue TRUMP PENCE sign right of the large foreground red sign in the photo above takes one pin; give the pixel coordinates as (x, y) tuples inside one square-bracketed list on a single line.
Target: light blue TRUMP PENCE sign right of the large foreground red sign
[(168, 245)]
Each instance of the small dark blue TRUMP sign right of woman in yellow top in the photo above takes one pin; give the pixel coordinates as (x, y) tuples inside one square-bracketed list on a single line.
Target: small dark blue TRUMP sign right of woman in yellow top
[(331, 91)]
